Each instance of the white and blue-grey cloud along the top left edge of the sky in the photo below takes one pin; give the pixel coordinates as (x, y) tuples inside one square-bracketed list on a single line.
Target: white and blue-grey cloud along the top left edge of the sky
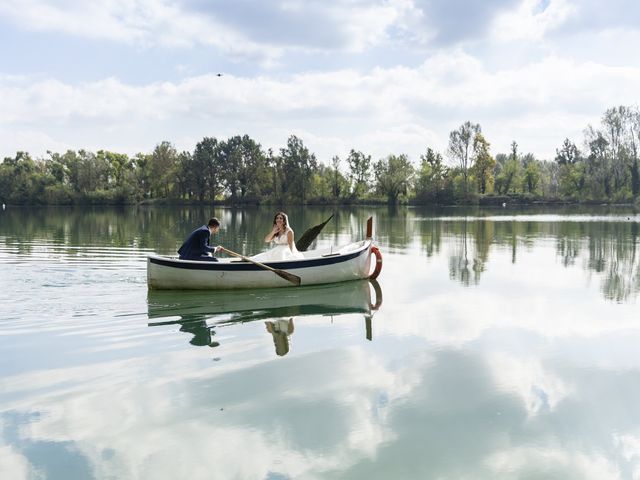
[(263, 31)]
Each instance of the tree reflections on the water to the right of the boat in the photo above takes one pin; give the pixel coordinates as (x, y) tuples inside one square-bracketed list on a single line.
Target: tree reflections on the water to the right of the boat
[(609, 248)]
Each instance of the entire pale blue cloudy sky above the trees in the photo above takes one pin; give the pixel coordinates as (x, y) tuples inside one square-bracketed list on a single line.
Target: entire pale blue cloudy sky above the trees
[(382, 77)]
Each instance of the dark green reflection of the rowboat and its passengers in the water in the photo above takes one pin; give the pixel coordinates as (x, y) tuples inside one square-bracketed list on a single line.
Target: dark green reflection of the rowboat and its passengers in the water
[(200, 313)]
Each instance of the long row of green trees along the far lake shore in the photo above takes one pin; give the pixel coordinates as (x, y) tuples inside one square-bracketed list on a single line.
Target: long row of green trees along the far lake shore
[(239, 171)]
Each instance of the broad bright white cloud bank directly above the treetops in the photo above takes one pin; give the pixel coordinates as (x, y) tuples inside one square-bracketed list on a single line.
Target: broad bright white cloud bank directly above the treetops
[(385, 110)]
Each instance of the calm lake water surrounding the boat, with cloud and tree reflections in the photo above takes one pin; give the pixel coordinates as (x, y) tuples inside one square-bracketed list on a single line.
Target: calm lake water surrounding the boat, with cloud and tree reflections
[(498, 344)]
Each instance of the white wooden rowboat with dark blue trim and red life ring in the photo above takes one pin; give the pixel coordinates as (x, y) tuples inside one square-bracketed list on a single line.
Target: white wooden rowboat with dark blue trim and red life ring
[(321, 266)]
